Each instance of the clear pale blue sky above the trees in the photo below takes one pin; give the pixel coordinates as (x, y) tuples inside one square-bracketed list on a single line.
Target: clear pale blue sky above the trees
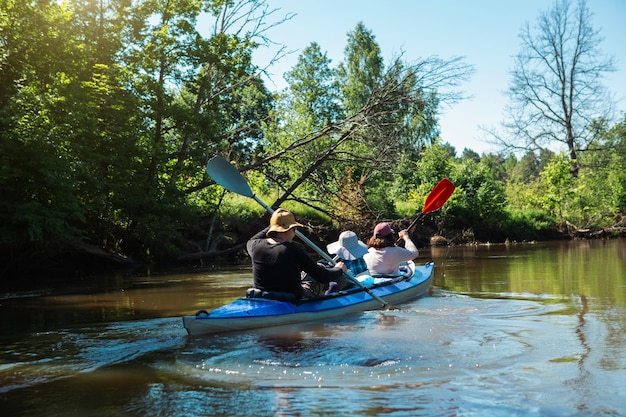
[(484, 32)]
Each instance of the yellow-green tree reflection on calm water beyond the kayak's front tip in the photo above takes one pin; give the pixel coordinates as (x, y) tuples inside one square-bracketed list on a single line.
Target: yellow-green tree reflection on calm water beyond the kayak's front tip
[(592, 268)]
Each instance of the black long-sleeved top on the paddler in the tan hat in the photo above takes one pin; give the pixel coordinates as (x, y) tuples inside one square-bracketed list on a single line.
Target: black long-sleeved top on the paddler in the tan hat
[(278, 267)]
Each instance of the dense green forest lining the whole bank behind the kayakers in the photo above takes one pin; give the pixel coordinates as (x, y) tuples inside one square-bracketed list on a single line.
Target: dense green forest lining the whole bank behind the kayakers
[(110, 110)]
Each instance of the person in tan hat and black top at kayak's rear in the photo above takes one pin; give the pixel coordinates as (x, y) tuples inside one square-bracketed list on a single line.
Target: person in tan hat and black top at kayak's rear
[(277, 261)]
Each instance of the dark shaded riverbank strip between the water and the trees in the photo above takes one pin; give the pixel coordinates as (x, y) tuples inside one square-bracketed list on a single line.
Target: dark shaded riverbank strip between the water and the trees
[(84, 261)]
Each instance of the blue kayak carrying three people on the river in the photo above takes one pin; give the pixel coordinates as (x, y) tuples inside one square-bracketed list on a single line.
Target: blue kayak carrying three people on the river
[(254, 313)]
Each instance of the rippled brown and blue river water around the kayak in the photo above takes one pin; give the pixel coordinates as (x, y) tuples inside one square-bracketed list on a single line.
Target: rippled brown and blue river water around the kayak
[(518, 330)]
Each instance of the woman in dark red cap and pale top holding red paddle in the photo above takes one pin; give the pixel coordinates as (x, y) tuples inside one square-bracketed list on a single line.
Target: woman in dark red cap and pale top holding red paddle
[(384, 257)]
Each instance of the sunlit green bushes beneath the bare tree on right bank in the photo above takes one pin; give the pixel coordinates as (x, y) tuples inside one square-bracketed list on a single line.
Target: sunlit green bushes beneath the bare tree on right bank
[(593, 199)]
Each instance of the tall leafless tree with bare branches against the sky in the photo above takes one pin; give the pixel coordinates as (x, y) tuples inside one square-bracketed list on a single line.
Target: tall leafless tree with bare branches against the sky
[(555, 91)]
